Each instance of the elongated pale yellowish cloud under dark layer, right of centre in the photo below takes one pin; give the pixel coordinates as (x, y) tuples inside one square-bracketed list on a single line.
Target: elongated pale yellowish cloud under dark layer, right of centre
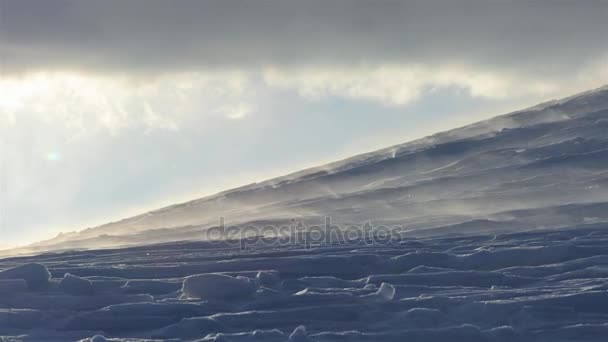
[(399, 85)]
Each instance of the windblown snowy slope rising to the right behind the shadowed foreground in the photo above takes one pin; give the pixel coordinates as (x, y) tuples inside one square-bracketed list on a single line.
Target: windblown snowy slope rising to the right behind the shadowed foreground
[(540, 158)]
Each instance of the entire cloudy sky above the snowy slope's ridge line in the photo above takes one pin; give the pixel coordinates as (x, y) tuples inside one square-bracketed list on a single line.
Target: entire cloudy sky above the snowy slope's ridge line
[(112, 108)]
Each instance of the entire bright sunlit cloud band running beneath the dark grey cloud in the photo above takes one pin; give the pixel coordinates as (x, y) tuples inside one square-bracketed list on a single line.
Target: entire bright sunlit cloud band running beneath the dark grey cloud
[(87, 102)]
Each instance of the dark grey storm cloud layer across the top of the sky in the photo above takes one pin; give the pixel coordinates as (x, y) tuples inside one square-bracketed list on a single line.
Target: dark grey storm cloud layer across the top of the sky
[(543, 36)]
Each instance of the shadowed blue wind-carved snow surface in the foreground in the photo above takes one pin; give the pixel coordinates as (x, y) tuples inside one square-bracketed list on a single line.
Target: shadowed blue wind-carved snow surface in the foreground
[(526, 286)]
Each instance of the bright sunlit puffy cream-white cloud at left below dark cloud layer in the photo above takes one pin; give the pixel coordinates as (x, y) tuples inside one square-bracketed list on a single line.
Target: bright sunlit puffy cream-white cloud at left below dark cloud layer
[(88, 103)]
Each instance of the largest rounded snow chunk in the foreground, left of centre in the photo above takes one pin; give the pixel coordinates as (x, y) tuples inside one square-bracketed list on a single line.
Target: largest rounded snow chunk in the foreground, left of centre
[(218, 286)]
